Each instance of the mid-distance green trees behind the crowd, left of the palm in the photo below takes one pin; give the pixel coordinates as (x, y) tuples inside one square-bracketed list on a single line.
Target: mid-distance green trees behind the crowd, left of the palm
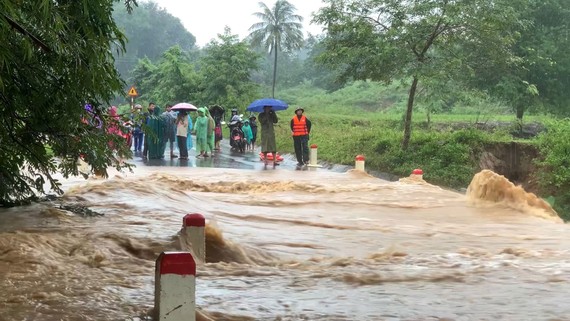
[(221, 75)]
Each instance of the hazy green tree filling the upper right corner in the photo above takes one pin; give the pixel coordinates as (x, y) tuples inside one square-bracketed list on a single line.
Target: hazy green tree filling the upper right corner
[(540, 76)]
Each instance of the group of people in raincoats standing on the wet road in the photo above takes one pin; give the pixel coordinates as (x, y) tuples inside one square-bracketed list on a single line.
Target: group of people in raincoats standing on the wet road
[(176, 127)]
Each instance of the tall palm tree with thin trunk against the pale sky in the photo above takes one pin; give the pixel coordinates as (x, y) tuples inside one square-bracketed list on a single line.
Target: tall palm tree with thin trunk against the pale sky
[(279, 29)]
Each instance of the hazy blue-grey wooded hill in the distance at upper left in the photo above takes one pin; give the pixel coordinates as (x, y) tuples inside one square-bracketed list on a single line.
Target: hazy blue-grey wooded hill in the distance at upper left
[(149, 30)]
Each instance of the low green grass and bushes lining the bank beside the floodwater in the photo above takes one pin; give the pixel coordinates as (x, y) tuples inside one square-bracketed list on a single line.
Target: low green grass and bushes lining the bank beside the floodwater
[(447, 158)]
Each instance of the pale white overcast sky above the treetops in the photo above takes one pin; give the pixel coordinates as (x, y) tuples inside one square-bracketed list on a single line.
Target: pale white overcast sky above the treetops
[(205, 19)]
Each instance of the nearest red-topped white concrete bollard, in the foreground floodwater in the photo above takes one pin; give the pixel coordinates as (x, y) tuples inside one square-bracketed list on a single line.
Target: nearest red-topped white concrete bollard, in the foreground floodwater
[(175, 287)]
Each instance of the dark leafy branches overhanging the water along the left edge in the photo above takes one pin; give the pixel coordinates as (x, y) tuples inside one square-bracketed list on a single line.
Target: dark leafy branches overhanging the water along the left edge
[(55, 58)]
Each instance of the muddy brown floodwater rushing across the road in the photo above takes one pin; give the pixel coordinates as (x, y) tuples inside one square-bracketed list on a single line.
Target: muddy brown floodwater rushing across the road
[(290, 245)]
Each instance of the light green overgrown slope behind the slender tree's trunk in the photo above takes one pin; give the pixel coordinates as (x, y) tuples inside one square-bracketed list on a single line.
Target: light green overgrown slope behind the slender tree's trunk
[(389, 102)]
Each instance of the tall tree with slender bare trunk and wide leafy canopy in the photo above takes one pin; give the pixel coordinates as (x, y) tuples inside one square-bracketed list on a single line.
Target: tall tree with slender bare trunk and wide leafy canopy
[(384, 40)]
